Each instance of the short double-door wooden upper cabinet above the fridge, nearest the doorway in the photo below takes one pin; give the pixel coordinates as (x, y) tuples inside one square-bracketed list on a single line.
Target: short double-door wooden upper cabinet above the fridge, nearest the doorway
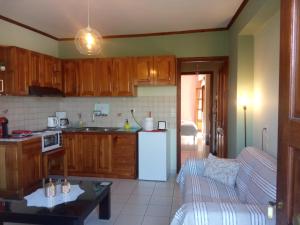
[(155, 70)]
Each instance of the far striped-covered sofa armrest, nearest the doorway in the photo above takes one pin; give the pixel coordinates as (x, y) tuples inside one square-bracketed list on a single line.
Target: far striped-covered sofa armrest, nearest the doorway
[(194, 167)]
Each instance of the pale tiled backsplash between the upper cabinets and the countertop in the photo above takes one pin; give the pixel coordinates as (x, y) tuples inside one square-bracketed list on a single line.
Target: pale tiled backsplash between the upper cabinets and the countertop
[(32, 112)]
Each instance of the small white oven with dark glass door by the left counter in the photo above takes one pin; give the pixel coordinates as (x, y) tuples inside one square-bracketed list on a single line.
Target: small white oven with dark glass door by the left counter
[(51, 140)]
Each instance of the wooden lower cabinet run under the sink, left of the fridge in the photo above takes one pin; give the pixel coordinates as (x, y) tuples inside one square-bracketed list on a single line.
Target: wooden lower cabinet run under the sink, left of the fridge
[(101, 155)]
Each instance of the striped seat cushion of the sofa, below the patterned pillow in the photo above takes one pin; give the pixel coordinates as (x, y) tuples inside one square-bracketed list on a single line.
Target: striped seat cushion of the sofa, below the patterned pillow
[(208, 190)]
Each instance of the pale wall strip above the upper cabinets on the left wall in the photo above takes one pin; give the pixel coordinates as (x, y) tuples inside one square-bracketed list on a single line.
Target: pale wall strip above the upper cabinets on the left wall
[(14, 35)]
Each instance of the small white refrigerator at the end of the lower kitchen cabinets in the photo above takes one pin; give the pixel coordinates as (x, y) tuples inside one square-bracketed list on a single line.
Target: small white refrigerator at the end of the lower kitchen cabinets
[(153, 150)]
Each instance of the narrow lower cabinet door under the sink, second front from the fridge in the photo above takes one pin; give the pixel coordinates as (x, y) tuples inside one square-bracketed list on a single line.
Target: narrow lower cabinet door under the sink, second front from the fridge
[(103, 155)]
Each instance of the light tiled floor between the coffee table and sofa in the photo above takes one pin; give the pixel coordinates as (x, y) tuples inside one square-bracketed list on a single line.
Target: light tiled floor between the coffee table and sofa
[(136, 202)]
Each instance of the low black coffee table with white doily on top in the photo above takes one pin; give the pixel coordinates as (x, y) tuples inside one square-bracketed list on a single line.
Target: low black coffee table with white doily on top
[(67, 213)]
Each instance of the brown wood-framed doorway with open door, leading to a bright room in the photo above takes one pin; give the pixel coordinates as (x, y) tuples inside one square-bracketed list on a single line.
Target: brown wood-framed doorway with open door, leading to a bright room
[(201, 107)]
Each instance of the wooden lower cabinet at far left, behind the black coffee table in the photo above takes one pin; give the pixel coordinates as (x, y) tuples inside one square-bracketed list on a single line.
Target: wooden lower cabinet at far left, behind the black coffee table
[(21, 167)]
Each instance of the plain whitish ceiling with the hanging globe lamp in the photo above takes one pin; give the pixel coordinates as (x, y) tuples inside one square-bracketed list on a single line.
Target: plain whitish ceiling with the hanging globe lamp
[(62, 18)]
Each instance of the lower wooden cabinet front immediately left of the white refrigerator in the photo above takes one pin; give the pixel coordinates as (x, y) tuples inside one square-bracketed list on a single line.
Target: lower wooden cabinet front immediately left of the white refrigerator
[(124, 155)]
